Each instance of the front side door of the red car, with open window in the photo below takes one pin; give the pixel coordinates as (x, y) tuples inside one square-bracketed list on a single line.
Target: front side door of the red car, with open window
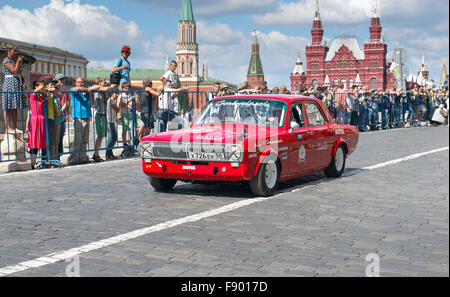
[(299, 152)]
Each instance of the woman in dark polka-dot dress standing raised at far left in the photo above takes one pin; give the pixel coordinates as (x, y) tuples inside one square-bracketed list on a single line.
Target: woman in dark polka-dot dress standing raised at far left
[(12, 100)]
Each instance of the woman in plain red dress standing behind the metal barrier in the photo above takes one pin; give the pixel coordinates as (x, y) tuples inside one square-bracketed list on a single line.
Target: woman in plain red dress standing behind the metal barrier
[(36, 123)]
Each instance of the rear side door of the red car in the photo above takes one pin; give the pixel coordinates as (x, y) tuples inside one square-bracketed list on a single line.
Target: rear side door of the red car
[(320, 136)]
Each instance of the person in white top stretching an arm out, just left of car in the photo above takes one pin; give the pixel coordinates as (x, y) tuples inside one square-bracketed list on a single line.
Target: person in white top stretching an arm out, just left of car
[(168, 105)]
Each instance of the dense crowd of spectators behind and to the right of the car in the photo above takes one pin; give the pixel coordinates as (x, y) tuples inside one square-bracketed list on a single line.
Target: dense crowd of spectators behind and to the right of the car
[(369, 109)]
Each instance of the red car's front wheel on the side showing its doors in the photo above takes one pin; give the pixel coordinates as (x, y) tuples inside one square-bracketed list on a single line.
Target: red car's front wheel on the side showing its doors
[(266, 181)]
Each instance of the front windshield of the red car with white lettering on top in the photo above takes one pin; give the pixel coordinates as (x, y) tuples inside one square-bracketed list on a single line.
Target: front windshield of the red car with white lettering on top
[(258, 112)]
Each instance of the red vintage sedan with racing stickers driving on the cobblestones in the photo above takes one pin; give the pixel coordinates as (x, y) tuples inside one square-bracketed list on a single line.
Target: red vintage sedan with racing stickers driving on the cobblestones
[(261, 139)]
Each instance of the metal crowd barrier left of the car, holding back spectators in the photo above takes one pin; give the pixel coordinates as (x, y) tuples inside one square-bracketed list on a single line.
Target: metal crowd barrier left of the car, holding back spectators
[(81, 133)]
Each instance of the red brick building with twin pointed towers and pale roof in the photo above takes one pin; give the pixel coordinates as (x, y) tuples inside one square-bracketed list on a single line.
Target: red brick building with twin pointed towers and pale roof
[(345, 62)]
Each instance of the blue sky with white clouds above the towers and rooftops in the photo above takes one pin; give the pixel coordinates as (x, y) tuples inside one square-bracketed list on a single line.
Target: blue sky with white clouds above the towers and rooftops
[(97, 29)]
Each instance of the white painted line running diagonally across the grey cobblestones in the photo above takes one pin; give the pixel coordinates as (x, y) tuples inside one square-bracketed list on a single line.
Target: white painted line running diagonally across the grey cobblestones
[(61, 256)]
